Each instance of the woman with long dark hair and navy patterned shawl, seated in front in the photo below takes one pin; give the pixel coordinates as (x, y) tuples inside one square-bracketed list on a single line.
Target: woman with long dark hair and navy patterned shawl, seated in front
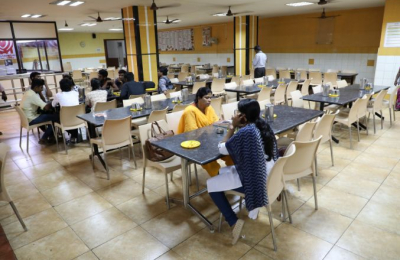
[(254, 151)]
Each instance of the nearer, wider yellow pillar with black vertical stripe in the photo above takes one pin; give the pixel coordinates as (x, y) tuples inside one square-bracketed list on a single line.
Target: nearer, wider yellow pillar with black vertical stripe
[(141, 42)]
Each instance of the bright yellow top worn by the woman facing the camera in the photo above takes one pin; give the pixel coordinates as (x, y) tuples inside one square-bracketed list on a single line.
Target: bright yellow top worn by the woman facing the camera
[(193, 119)]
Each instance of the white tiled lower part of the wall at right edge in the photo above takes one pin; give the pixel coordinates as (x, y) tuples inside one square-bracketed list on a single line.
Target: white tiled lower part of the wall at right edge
[(386, 70)]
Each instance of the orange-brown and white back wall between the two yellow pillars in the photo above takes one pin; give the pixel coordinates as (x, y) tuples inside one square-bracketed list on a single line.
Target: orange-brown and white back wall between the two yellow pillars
[(216, 53)]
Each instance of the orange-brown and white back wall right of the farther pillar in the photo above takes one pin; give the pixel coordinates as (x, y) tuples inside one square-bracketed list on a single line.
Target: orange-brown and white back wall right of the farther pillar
[(290, 41)]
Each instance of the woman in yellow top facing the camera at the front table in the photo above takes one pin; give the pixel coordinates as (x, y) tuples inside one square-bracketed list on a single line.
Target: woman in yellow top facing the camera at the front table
[(199, 115)]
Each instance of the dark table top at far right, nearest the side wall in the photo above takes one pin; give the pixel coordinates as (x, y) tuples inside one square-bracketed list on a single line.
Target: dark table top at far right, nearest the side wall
[(347, 95)]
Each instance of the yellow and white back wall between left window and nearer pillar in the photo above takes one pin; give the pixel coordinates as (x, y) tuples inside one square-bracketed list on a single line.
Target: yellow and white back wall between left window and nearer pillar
[(92, 55)]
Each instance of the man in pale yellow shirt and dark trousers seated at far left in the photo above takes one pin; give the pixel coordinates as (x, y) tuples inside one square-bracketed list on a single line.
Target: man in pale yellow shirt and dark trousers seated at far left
[(30, 103)]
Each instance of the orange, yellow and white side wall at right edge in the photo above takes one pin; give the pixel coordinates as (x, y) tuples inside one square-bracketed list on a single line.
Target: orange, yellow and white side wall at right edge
[(388, 62)]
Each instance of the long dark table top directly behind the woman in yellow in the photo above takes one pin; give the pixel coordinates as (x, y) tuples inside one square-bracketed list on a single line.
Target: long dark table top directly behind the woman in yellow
[(122, 112)]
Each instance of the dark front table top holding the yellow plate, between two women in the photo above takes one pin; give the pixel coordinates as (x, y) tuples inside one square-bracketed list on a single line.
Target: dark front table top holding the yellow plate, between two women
[(287, 118)]
